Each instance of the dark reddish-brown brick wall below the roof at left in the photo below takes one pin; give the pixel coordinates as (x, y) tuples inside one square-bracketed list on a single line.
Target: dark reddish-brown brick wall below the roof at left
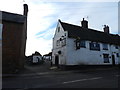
[(12, 46)]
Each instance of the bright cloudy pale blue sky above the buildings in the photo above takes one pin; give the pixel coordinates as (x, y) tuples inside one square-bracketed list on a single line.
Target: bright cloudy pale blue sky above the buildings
[(43, 17)]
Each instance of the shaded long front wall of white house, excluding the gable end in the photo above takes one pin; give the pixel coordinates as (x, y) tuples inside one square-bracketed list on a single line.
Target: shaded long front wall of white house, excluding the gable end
[(85, 56)]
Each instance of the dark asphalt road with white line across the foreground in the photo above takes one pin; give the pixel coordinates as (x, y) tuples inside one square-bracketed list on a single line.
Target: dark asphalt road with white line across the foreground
[(99, 78)]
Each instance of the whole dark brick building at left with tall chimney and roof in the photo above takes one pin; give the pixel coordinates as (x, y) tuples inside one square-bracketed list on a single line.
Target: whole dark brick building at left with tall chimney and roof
[(14, 35)]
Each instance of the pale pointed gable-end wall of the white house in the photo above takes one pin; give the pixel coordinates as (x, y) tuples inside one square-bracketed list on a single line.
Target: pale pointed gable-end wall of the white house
[(57, 36)]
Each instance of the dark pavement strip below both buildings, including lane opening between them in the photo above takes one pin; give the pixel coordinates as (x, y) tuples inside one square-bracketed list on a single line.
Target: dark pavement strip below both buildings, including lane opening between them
[(46, 68)]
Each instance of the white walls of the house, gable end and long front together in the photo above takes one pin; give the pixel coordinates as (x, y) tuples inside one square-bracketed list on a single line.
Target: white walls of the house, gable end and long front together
[(68, 55)]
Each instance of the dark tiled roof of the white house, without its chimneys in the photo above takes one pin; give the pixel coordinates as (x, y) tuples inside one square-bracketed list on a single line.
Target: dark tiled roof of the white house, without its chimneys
[(75, 31)]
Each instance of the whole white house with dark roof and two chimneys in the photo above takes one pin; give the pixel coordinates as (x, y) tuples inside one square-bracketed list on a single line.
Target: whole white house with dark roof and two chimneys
[(80, 45)]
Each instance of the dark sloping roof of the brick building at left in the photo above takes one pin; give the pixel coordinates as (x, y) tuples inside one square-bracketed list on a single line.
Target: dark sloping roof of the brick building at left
[(6, 16)]
